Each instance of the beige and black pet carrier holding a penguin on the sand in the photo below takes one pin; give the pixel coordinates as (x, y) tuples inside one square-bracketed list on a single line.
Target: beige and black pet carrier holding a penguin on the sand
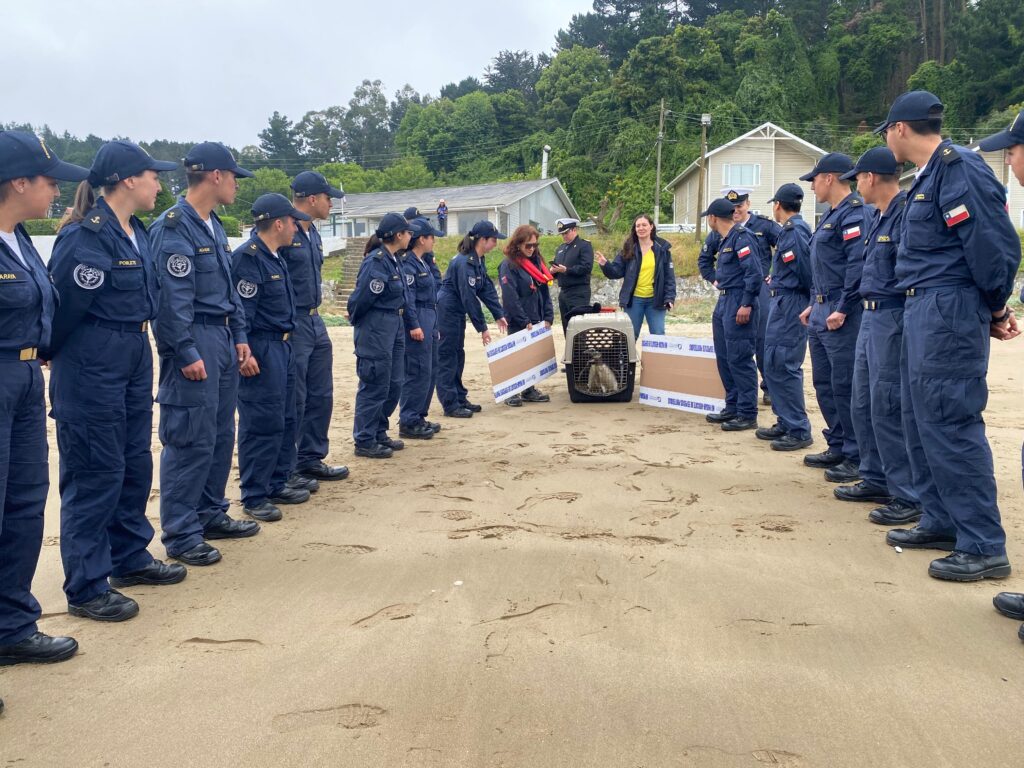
[(601, 356)]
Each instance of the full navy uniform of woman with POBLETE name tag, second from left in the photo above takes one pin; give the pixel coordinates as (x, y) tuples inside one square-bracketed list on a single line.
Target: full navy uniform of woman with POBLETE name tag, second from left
[(102, 391)]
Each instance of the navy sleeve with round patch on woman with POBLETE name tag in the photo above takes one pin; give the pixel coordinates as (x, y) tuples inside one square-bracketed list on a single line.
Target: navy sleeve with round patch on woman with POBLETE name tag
[(79, 268)]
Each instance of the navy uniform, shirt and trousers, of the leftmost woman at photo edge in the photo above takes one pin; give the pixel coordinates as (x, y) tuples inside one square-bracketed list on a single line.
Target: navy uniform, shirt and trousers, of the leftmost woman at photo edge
[(27, 304)]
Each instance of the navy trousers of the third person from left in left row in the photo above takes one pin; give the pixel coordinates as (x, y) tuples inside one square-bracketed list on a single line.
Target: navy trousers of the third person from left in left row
[(197, 429)]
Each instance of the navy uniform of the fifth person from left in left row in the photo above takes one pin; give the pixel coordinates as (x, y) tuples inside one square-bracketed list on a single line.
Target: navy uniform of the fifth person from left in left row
[(312, 349)]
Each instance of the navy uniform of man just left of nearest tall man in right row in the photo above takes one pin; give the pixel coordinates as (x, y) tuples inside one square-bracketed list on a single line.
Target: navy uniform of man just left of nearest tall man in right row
[(884, 461)]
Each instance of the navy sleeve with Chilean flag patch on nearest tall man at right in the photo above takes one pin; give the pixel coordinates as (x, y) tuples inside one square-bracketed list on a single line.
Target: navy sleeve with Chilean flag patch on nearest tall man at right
[(974, 205)]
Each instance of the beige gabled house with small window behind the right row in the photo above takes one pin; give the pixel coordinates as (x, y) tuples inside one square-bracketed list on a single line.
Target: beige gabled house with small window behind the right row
[(762, 160)]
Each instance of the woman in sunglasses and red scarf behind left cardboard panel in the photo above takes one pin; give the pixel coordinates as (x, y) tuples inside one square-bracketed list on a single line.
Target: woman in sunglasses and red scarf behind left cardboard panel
[(526, 295)]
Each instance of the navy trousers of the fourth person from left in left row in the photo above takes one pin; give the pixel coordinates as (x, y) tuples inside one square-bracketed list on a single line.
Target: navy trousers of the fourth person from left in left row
[(267, 421)]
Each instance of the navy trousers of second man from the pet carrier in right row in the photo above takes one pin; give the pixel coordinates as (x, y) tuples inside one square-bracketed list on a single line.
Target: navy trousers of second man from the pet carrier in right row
[(786, 349)]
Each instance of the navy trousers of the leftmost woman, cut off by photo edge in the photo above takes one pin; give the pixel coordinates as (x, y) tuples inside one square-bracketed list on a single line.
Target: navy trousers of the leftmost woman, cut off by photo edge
[(25, 481)]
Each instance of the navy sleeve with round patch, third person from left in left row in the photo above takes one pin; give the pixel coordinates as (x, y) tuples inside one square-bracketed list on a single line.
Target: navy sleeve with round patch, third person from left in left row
[(178, 294)]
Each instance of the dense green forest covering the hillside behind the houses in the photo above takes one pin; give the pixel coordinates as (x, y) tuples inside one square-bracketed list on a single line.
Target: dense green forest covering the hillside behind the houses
[(826, 70)]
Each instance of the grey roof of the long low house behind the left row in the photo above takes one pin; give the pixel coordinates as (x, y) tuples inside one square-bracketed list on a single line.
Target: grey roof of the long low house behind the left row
[(476, 197)]
